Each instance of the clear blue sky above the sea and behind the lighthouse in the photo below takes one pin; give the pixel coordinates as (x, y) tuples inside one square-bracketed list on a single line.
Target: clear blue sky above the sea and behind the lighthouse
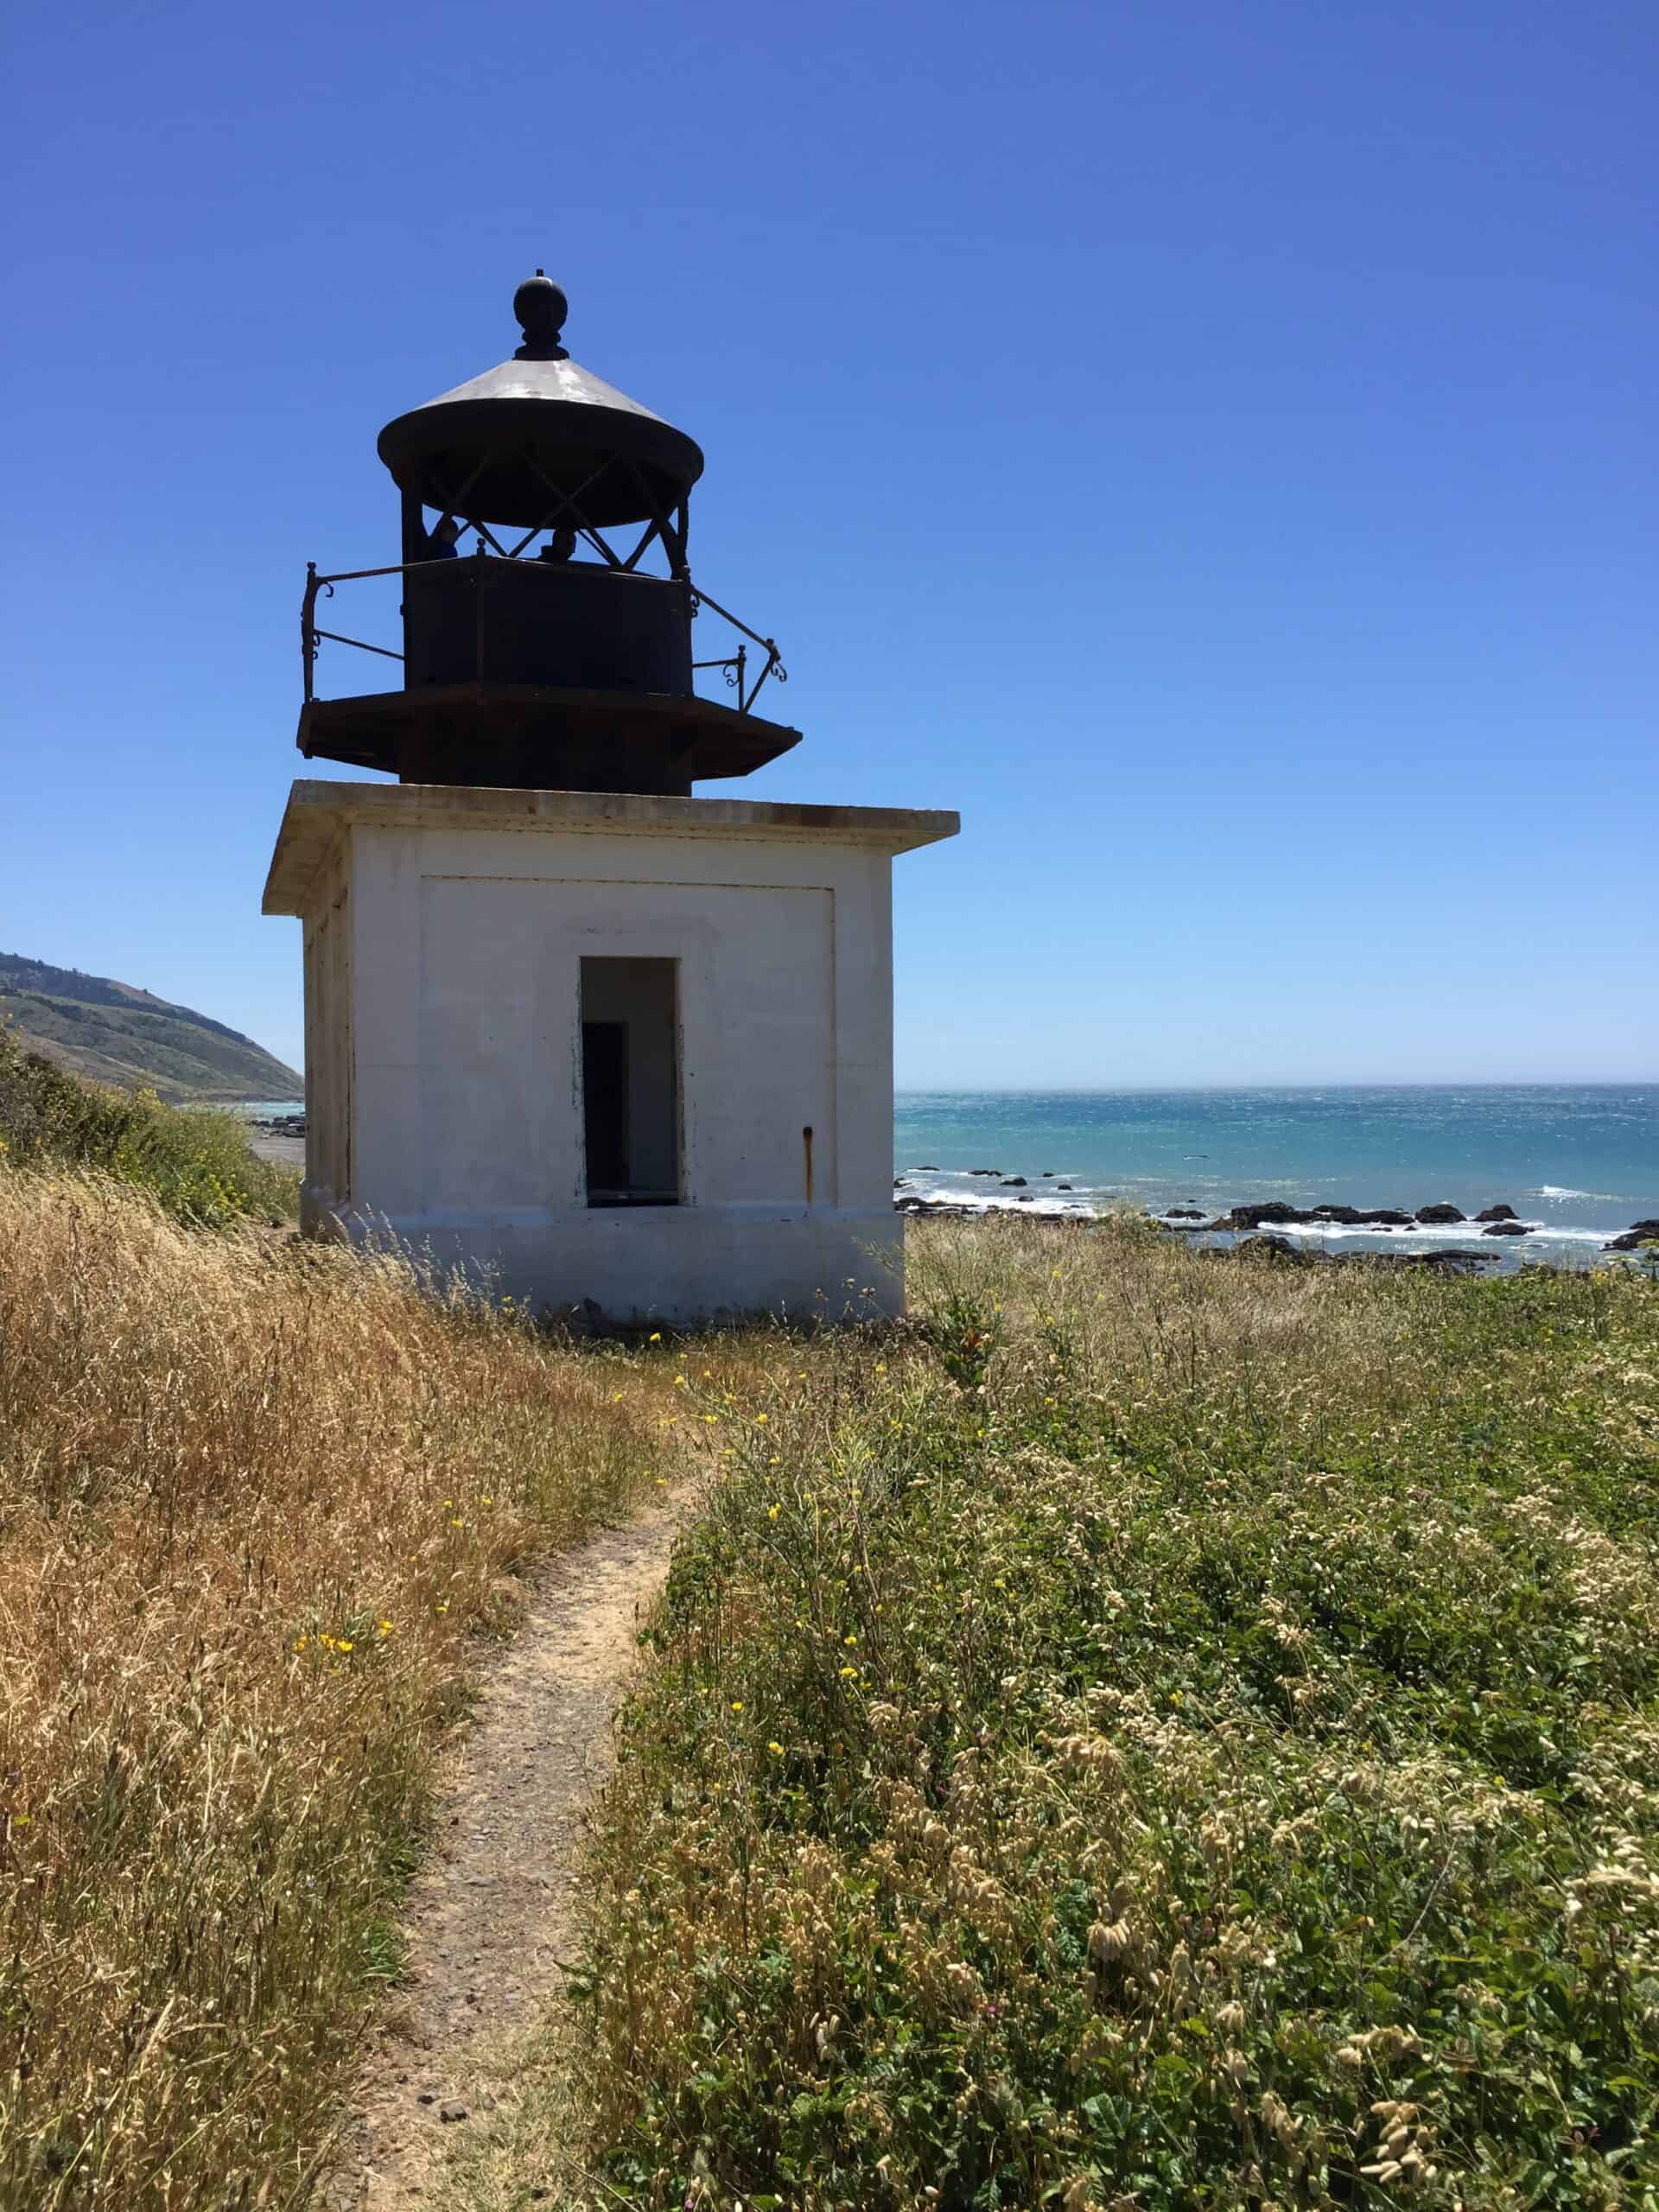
[(1211, 444)]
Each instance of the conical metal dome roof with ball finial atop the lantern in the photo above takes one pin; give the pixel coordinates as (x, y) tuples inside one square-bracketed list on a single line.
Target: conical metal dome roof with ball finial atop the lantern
[(510, 444)]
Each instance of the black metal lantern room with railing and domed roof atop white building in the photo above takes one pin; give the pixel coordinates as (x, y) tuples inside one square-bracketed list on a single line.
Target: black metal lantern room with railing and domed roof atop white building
[(547, 596)]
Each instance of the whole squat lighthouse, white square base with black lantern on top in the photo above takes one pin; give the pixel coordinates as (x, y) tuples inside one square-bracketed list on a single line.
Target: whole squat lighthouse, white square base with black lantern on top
[(570, 1027)]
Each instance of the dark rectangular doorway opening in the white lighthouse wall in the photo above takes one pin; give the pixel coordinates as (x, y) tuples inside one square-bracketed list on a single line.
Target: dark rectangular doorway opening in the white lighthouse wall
[(632, 1083)]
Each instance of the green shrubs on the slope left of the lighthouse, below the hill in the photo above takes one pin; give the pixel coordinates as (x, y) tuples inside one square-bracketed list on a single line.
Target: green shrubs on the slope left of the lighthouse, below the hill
[(194, 1160)]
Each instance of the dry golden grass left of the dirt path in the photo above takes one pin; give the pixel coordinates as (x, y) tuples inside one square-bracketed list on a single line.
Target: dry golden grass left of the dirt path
[(255, 1496)]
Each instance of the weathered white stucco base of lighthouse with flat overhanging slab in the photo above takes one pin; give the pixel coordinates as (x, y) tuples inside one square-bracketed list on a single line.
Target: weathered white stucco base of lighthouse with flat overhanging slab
[(446, 935)]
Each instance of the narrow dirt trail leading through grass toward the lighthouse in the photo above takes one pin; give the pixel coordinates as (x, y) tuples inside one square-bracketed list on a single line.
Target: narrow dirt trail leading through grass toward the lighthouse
[(494, 1910)]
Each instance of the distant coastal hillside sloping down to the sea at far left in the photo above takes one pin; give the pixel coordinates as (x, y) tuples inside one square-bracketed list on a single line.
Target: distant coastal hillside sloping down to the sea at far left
[(116, 1034)]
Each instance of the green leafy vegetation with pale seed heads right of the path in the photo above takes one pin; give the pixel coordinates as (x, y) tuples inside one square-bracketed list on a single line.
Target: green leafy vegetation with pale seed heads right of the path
[(1160, 1733)]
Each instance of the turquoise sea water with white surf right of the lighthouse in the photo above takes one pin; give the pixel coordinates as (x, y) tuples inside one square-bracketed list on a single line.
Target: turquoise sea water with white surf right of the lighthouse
[(1580, 1162)]
